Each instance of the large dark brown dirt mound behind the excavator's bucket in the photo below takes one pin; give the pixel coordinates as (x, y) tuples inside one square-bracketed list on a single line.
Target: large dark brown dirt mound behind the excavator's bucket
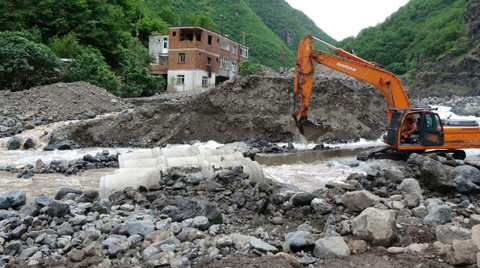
[(250, 107)]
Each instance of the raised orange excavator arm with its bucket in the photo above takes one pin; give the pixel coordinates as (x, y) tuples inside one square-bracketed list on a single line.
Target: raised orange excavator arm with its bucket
[(308, 58)]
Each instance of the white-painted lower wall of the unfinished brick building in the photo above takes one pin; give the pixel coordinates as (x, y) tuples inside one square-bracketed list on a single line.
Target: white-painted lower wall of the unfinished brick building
[(193, 80)]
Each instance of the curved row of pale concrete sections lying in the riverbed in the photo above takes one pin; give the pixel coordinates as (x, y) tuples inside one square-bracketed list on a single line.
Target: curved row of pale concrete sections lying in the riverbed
[(143, 167)]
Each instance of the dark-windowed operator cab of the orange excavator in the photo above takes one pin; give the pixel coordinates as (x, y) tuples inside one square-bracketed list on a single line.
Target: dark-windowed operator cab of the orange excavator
[(410, 128)]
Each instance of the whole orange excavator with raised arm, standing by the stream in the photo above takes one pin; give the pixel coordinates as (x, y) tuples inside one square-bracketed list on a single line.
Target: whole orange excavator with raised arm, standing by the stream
[(409, 130)]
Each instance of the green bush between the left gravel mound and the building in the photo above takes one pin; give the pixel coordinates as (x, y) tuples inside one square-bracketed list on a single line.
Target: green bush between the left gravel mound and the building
[(90, 66)]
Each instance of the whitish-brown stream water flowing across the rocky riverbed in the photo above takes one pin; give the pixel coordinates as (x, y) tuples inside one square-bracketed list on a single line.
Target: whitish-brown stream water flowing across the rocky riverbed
[(305, 176)]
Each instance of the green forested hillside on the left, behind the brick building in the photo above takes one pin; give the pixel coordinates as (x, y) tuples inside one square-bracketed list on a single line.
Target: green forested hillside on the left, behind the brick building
[(100, 37)]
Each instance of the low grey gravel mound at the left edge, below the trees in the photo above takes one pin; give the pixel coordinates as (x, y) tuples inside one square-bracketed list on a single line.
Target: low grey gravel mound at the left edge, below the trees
[(58, 102)]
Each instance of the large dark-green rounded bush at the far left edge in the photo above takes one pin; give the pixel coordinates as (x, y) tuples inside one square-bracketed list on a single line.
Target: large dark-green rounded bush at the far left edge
[(24, 63)]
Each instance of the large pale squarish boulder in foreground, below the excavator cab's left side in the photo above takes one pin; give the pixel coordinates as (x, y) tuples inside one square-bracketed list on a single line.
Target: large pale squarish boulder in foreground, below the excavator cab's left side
[(375, 226)]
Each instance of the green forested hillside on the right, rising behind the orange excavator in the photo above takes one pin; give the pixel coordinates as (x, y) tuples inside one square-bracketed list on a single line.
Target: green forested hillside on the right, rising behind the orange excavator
[(426, 40)]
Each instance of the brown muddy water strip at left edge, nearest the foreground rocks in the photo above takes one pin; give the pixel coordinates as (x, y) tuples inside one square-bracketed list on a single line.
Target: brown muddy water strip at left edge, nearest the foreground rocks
[(51, 183)]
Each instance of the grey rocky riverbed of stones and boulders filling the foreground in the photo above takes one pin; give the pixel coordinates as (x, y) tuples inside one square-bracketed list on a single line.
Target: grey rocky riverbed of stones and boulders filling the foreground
[(426, 214)]
